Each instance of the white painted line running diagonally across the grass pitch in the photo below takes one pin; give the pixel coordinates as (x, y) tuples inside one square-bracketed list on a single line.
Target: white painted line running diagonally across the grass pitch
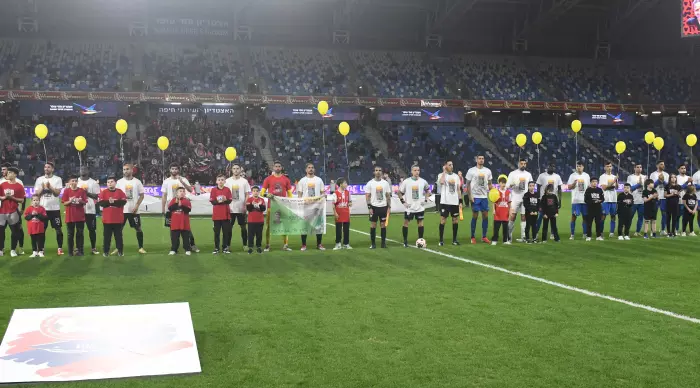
[(553, 283)]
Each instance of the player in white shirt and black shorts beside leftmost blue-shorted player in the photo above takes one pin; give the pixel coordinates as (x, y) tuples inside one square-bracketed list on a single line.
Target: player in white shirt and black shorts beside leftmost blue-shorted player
[(449, 186)]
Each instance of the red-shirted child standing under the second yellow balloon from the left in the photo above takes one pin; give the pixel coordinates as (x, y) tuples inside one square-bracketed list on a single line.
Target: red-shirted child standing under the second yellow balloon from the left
[(74, 199)]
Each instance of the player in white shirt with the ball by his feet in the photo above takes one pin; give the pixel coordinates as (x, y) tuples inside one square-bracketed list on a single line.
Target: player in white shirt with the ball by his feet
[(413, 193)]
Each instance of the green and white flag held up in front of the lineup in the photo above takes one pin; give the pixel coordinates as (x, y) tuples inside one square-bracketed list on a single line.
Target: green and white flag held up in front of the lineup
[(297, 216)]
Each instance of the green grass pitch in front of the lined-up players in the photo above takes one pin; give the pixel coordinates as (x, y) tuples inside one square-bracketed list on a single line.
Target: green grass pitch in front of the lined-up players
[(398, 317)]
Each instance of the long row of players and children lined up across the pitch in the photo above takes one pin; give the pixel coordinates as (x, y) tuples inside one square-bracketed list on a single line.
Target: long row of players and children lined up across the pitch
[(234, 201)]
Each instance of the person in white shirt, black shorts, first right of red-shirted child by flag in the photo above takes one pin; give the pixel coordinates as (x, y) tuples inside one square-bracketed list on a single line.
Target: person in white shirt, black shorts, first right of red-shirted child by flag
[(378, 197)]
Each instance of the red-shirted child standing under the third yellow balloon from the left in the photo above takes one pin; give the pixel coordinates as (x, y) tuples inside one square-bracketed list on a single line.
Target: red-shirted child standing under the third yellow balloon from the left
[(112, 201)]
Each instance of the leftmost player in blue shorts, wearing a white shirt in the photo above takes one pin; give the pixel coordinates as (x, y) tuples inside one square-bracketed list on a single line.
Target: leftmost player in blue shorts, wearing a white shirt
[(478, 182)]
